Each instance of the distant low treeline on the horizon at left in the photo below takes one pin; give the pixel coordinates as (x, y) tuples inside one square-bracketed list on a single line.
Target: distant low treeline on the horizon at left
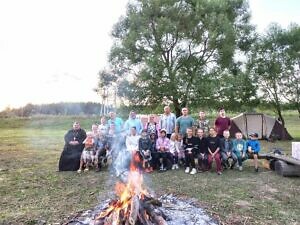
[(79, 108)]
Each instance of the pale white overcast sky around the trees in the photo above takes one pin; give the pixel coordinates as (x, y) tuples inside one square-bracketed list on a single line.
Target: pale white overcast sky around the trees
[(52, 50)]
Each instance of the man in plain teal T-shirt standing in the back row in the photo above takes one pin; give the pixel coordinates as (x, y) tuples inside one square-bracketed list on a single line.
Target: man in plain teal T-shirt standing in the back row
[(183, 122)]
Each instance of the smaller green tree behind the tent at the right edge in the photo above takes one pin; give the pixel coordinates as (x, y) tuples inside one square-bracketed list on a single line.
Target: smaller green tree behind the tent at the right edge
[(275, 66)]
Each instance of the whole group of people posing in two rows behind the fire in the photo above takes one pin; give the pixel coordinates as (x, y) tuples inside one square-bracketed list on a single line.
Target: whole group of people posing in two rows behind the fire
[(169, 143)]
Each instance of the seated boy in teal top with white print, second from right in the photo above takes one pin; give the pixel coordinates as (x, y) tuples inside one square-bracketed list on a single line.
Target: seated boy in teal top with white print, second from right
[(240, 149)]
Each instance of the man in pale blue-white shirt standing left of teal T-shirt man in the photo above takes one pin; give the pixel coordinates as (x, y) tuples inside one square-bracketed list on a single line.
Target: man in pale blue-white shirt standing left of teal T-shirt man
[(167, 121)]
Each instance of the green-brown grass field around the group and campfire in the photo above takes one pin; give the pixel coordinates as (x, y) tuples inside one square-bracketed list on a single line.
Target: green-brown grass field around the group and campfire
[(32, 192)]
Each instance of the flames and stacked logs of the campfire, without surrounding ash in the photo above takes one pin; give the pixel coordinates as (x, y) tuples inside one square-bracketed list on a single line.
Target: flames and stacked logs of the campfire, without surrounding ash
[(134, 205)]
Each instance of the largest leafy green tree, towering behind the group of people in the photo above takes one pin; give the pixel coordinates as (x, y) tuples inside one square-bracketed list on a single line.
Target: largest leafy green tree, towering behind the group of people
[(174, 49)]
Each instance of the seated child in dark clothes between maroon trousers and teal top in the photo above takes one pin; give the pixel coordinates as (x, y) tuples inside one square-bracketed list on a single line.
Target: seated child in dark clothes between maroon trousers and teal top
[(227, 151)]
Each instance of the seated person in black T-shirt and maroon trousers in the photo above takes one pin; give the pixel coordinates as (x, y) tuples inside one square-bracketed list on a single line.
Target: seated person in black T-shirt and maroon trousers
[(214, 150)]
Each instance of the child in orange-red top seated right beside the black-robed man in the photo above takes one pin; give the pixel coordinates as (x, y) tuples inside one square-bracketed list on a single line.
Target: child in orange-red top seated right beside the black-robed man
[(87, 153)]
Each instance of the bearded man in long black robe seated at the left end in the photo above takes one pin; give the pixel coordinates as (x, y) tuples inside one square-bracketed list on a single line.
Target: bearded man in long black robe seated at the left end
[(70, 156)]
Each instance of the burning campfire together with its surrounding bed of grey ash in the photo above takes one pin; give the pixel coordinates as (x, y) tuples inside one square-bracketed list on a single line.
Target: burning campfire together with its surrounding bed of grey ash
[(134, 205)]
